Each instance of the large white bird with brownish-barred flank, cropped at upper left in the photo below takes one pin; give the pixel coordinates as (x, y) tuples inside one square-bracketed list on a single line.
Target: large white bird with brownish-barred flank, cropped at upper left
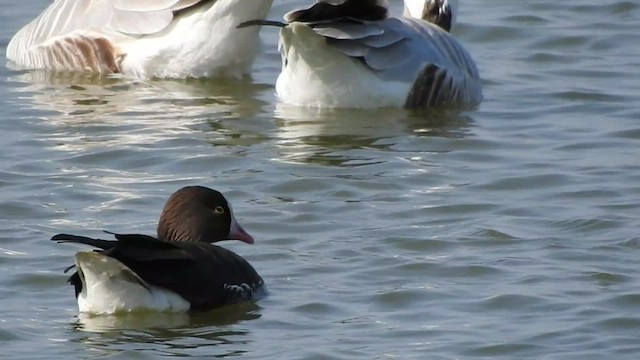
[(141, 38)]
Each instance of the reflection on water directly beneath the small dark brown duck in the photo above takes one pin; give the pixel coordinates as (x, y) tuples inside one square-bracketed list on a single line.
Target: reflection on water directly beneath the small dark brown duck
[(215, 333)]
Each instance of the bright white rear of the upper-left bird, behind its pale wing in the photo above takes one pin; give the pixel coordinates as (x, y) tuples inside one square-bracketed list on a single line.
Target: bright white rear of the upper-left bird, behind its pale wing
[(230, 52)]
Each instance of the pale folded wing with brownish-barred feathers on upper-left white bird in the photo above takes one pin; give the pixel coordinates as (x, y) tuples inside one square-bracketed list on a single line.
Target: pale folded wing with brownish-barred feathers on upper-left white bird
[(88, 27)]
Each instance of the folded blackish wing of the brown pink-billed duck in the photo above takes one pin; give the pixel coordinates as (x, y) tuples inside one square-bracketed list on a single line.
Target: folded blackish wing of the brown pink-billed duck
[(206, 275)]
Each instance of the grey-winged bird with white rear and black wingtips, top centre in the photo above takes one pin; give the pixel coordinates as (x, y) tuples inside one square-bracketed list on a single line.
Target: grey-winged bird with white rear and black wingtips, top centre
[(350, 54)]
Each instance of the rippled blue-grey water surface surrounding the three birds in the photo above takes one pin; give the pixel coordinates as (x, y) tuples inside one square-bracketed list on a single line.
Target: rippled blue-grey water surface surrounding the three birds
[(506, 231)]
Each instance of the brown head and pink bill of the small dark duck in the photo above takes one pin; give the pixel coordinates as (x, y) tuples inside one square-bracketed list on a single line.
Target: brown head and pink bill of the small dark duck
[(197, 213)]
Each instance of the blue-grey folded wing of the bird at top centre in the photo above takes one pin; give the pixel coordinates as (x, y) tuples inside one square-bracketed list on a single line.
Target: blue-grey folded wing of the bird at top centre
[(402, 49)]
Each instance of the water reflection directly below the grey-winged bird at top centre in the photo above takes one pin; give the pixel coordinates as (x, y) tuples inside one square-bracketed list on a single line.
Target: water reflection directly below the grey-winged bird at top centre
[(329, 136)]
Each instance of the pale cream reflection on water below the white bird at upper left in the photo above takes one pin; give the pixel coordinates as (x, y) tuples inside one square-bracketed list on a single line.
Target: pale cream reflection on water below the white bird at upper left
[(82, 111)]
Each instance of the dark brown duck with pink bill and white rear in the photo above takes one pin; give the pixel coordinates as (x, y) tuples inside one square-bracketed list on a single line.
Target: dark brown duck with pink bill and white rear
[(178, 271)]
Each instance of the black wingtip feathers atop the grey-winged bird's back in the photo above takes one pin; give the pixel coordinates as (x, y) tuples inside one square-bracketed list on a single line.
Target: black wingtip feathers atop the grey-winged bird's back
[(369, 10)]
